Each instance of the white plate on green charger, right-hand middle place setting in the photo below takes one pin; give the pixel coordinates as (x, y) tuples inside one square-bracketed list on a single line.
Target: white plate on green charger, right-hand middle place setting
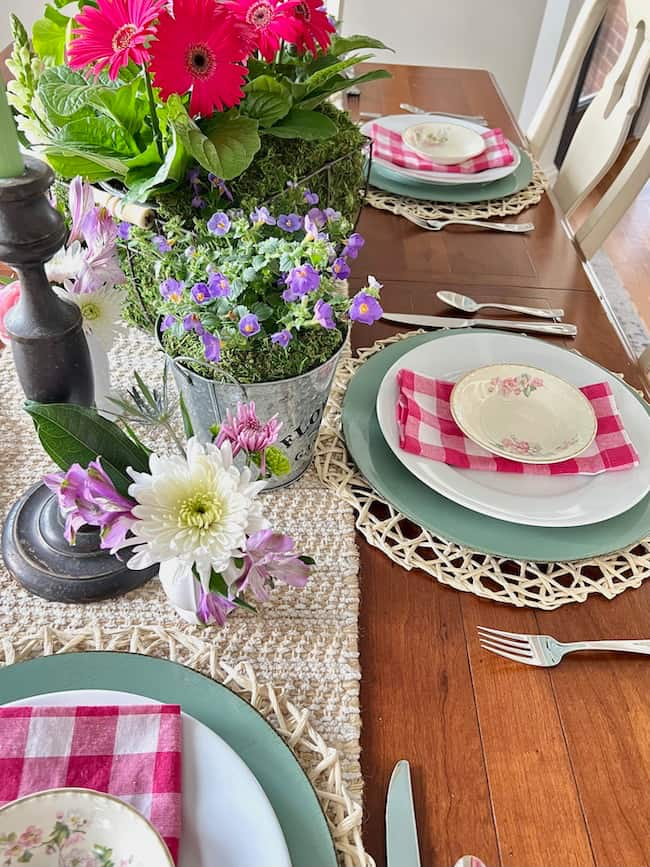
[(546, 501)]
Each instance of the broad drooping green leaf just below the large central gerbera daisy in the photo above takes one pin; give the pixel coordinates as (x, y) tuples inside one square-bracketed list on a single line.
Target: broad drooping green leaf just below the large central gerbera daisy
[(228, 145)]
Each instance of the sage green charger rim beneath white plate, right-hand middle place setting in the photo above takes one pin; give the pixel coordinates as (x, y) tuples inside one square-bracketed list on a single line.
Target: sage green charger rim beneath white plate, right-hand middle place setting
[(449, 520)]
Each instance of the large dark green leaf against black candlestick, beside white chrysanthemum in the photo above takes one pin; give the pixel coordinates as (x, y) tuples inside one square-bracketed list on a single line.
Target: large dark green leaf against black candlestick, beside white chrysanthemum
[(78, 434)]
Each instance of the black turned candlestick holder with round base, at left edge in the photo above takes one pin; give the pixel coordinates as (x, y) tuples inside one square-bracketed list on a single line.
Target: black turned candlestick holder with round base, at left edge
[(53, 364)]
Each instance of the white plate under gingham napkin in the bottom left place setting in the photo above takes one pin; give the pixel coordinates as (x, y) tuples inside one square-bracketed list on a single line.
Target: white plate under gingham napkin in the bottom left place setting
[(227, 819)]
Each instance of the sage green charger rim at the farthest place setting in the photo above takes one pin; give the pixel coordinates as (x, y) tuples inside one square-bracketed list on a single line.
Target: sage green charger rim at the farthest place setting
[(392, 182)]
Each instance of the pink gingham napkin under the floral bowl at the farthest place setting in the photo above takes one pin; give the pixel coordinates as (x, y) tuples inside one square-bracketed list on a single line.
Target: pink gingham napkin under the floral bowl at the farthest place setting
[(388, 145)]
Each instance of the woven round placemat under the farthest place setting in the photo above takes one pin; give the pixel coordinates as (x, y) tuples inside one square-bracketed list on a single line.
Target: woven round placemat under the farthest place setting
[(506, 207)]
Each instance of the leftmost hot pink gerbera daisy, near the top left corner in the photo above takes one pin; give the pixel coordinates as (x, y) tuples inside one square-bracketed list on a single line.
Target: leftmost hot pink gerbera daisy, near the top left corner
[(112, 33)]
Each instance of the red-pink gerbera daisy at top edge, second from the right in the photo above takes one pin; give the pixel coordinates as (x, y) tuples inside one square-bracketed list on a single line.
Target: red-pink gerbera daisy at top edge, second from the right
[(266, 22)]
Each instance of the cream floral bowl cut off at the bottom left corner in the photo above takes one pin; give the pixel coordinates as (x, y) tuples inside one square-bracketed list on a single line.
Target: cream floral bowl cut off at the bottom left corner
[(78, 827)]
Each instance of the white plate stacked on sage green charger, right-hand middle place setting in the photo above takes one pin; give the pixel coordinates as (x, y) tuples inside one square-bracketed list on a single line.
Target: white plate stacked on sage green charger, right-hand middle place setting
[(529, 517)]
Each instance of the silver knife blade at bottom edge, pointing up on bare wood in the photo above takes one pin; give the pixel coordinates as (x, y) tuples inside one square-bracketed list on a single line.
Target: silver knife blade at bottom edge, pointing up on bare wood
[(401, 831)]
